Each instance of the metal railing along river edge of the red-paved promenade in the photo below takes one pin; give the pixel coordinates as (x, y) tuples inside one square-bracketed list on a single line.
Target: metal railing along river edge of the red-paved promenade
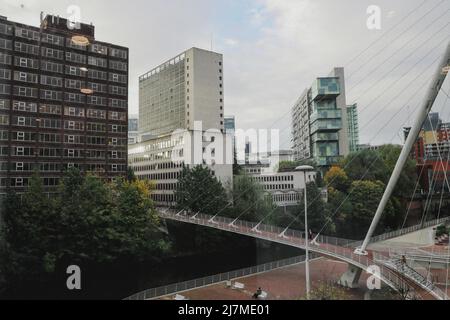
[(214, 279)]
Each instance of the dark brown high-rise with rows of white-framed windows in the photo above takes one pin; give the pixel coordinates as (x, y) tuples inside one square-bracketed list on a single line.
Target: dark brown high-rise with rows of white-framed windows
[(63, 102)]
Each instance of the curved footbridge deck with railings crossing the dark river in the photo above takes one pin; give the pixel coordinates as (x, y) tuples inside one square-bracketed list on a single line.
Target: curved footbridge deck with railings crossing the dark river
[(342, 249)]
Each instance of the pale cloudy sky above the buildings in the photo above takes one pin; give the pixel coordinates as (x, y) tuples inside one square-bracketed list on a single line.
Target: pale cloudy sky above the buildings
[(274, 49)]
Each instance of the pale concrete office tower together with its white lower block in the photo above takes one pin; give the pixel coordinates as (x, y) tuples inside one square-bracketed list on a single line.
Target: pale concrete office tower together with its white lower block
[(178, 100)]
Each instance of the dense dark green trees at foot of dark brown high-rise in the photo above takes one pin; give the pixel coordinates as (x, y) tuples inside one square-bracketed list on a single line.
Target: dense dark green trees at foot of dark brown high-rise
[(88, 220)]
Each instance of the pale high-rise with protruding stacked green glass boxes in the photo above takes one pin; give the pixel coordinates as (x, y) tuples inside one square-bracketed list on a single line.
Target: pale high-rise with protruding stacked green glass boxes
[(319, 121)]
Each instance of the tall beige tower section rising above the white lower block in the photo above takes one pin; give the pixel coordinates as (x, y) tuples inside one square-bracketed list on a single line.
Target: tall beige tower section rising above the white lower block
[(186, 89)]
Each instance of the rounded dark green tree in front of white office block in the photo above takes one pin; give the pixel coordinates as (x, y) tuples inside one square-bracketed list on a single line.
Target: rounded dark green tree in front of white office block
[(199, 190)]
